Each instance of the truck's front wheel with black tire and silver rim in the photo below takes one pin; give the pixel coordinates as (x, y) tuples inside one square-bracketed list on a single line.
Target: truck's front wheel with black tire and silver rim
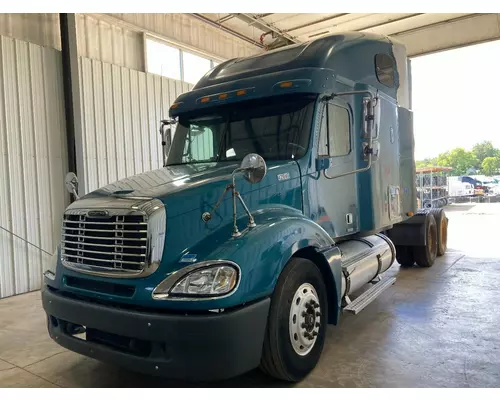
[(297, 322)]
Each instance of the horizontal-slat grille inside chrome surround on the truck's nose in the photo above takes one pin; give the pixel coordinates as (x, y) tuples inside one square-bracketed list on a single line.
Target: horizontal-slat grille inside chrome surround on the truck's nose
[(115, 242)]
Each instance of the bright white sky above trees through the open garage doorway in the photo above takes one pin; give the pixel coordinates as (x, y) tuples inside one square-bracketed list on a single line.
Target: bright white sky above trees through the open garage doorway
[(456, 99)]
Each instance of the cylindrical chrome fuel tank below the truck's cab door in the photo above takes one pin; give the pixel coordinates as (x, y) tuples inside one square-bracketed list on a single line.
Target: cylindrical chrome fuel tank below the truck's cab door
[(363, 259)]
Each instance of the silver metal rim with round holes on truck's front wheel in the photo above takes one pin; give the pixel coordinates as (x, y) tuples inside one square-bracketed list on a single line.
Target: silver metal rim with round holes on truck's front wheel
[(305, 319)]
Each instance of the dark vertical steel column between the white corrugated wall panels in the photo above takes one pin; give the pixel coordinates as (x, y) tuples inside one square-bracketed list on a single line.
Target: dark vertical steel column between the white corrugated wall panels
[(71, 82)]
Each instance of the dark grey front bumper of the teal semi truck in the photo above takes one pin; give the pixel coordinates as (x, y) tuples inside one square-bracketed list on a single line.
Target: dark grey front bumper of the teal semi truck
[(198, 347)]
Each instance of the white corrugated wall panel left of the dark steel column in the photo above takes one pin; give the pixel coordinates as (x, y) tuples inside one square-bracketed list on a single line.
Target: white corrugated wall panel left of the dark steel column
[(33, 161)]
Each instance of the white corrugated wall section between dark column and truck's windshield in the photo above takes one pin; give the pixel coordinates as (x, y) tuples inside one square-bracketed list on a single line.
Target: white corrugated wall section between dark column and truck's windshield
[(122, 109)]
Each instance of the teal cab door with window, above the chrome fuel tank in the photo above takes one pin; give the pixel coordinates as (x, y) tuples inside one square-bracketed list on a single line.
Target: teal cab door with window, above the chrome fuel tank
[(337, 197)]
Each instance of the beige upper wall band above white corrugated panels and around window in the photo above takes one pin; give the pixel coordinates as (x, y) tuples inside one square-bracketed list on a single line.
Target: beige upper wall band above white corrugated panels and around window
[(108, 41)]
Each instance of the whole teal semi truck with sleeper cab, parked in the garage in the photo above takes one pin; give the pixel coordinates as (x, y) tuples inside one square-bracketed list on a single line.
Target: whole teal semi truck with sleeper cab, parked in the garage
[(287, 191)]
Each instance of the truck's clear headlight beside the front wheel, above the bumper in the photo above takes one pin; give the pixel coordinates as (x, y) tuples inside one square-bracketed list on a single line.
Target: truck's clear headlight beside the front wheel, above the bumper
[(203, 280)]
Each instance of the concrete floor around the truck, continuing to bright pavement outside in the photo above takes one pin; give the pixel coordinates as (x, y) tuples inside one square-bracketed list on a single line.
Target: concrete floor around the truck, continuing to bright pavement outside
[(436, 327)]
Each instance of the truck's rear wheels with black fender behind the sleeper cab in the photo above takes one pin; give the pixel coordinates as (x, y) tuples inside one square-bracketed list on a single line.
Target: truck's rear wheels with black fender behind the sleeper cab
[(421, 239)]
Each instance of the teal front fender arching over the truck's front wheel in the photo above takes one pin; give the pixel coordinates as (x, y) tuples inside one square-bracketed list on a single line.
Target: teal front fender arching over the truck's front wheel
[(263, 252)]
